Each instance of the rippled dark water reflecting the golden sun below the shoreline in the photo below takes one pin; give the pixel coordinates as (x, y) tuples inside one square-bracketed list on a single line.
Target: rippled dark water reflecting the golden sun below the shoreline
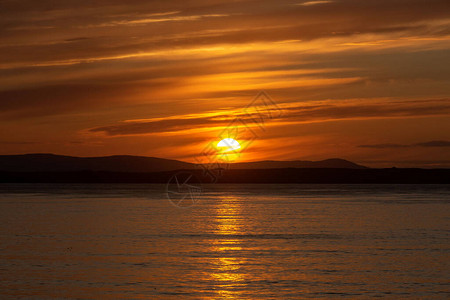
[(238, 242)]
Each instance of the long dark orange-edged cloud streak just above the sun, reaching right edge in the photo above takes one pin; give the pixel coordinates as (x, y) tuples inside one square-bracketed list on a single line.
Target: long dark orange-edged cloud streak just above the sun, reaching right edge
[(293, 113)]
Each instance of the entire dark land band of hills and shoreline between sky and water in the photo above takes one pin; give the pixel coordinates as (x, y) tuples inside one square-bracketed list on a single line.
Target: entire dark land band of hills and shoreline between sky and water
[(49, 168)]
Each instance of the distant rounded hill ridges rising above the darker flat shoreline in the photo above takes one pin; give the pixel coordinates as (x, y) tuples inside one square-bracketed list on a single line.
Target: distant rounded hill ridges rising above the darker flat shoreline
[(128, 163)]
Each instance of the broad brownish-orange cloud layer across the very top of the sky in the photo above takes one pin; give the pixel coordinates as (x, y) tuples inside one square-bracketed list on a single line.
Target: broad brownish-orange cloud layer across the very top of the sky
[(47, 28)]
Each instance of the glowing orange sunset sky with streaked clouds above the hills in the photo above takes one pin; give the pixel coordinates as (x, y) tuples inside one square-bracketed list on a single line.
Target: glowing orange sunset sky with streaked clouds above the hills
[(363, 80)]
